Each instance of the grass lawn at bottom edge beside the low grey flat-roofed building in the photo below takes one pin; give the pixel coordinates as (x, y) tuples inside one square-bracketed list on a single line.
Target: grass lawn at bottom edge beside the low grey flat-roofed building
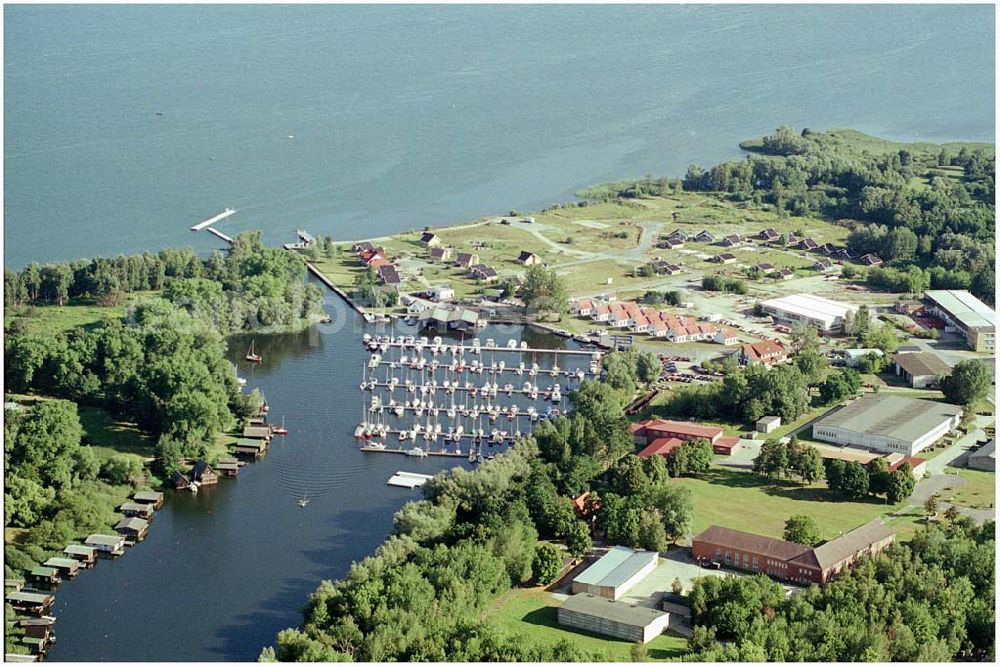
[(531, 613)]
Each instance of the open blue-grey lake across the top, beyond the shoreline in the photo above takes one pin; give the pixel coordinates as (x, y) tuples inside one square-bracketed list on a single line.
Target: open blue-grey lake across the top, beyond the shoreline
[(409, 116)]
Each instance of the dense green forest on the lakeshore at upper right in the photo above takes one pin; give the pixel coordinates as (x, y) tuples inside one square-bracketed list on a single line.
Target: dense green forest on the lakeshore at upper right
[(926, 210)]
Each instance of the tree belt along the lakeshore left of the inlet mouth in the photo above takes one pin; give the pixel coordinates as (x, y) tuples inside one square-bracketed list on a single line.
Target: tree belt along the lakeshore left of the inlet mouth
[(249, 287)]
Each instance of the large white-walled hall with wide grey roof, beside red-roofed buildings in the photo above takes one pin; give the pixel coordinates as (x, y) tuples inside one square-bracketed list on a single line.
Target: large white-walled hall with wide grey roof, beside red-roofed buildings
[(888, 423)]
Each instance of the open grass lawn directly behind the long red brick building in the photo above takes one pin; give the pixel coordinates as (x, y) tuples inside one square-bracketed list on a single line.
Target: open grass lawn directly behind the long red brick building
[(744, 501)]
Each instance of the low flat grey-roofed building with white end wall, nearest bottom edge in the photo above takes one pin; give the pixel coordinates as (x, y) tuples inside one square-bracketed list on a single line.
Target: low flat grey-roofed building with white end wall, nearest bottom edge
[(631, 622)]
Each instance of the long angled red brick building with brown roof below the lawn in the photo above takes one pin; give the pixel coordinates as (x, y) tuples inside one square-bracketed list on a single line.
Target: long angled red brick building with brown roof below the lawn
[(789, 561)]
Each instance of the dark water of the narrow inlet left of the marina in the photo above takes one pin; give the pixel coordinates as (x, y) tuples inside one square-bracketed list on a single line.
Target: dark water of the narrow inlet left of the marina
[(224, 570)]
